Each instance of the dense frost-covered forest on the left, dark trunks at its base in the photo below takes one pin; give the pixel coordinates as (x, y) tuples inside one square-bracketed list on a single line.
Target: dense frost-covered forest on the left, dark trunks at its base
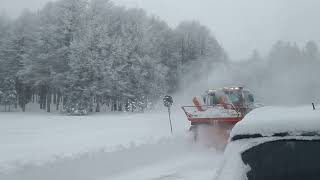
[(80, 55)]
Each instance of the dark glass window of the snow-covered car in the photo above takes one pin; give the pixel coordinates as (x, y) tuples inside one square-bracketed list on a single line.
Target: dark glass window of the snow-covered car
[(284, 159)]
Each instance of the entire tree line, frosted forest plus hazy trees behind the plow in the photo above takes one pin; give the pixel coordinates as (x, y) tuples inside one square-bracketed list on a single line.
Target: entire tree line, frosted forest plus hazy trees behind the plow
[(82, 55)]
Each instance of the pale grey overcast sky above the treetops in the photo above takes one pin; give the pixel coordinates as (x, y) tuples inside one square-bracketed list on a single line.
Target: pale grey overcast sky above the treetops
[(239, 25)]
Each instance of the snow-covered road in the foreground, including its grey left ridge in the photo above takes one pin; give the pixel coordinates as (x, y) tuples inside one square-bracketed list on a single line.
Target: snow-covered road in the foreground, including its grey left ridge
[(147, 162)]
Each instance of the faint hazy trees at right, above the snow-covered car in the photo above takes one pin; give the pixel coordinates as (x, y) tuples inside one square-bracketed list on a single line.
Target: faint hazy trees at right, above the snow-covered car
[(287, 75)]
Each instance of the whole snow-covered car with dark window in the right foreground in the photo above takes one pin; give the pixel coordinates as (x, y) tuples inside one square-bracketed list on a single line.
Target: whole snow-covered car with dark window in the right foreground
[(274, 143)]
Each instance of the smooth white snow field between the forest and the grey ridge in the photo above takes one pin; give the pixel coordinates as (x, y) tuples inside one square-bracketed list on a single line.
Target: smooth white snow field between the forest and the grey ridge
[(39, 138)]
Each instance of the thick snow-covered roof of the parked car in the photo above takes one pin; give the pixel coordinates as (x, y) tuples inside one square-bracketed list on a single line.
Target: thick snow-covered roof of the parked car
[(278, 121)]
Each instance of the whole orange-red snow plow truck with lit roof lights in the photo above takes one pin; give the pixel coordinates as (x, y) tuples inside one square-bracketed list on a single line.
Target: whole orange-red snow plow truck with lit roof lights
[(217, 111)]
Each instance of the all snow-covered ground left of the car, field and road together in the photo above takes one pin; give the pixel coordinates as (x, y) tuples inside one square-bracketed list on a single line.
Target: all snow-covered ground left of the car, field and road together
[(44, 146)]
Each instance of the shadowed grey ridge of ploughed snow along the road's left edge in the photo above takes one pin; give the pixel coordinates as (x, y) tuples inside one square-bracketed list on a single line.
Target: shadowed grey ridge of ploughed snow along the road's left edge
[(104, 165)]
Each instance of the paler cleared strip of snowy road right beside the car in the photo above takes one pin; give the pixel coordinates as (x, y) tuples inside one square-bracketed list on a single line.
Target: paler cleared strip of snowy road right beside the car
[(189, 166)]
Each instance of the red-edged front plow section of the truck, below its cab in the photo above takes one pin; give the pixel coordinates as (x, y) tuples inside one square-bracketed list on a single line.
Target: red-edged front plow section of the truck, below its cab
[(212, 129)]
